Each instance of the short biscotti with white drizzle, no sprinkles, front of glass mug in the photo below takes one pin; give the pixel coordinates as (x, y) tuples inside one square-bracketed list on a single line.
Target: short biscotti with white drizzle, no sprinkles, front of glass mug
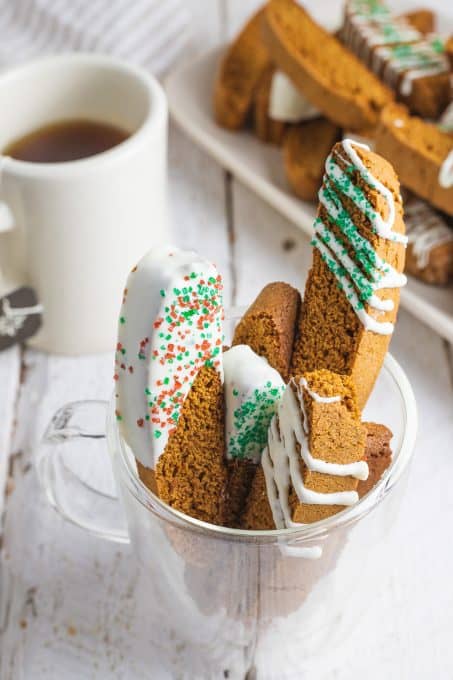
[(315, 452)]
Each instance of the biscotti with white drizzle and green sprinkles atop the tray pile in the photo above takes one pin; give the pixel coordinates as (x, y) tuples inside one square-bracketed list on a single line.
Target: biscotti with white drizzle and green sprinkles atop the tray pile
[(415, 67)]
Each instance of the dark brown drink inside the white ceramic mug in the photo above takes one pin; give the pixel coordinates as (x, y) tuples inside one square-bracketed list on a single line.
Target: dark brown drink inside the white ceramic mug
[(67, 140)]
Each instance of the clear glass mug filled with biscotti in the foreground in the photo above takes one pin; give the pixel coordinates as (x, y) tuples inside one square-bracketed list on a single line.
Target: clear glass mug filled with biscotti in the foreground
[(229, 603)]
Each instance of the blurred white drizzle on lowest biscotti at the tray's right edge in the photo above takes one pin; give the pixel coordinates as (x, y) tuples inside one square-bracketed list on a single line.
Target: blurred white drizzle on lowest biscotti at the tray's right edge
[(426, 230)]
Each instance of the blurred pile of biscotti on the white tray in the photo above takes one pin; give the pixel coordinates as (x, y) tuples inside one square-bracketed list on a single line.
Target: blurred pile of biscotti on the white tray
[(304, 88)]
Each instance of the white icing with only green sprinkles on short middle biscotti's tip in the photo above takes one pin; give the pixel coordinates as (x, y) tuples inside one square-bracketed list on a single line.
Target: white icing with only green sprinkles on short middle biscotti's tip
[(253, 390)]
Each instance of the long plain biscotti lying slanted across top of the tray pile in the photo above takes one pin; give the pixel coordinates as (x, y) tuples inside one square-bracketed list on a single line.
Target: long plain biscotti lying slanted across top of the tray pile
[(332, 79)]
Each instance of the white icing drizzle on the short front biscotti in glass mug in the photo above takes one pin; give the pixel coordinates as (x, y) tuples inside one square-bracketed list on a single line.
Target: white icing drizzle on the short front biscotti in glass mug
[(281, 459)]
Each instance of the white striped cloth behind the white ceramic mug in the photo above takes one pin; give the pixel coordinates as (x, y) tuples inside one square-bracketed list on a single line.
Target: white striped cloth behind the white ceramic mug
[(151, 33)]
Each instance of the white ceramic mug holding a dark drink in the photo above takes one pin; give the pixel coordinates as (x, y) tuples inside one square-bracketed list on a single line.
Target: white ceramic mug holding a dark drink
[(73, 230)]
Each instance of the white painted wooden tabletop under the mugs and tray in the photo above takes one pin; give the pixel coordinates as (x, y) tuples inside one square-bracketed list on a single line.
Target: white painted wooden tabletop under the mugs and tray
[(67, 600)]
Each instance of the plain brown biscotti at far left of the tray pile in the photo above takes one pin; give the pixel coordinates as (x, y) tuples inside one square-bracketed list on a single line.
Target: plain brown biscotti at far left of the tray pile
[(239, 73)]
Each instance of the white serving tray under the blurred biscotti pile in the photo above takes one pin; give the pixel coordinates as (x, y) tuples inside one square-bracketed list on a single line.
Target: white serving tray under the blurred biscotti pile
[(260, 167)]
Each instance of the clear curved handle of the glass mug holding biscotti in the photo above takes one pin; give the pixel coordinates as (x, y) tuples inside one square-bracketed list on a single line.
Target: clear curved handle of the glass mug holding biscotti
[(75, 473)]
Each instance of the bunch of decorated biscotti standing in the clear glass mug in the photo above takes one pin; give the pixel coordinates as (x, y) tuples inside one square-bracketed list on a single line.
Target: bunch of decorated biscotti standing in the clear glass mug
[(267, 433)]
